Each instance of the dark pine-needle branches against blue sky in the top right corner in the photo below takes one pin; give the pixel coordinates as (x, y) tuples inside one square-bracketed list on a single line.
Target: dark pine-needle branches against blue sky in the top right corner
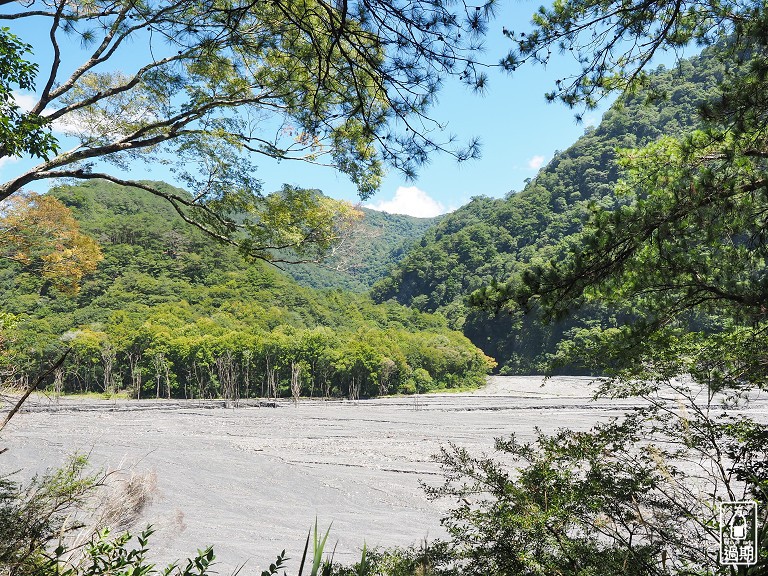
[(613, 43)]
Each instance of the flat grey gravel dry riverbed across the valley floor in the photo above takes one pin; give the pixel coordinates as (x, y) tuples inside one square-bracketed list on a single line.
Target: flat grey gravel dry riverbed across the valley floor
[(251, 480)]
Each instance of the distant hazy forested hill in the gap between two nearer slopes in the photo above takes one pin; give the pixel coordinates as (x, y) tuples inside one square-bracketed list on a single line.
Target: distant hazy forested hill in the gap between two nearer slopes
[(378, 242)]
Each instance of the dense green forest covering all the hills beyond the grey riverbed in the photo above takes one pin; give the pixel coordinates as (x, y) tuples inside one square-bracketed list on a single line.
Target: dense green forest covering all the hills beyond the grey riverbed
[(170, 312)]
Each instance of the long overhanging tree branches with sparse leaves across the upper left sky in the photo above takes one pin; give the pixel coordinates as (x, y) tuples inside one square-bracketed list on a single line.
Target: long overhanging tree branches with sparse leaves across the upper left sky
[(220, 83)]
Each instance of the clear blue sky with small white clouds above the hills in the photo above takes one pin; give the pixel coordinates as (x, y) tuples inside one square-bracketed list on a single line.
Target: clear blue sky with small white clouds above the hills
[(518, 129)]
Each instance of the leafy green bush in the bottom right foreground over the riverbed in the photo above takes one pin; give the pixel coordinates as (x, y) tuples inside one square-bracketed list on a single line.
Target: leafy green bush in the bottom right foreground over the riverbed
[(637, 495)]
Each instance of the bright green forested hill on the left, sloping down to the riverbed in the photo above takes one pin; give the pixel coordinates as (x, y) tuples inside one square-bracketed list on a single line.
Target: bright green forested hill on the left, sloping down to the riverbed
[(171, 312)]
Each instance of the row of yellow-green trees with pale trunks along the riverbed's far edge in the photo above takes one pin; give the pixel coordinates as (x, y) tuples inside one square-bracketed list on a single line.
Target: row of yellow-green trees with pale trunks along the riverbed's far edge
[(201, 360)]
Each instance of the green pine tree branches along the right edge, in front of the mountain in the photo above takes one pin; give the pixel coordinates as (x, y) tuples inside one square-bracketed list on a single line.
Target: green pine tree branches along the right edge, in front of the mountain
[(681, 251)]
